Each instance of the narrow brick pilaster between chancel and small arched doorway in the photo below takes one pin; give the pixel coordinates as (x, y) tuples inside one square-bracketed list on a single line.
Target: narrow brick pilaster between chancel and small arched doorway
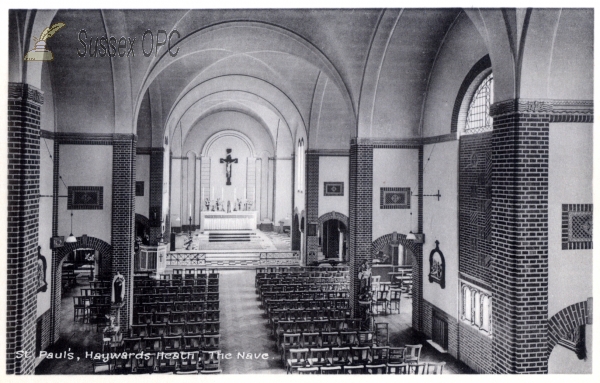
[(312, 205)]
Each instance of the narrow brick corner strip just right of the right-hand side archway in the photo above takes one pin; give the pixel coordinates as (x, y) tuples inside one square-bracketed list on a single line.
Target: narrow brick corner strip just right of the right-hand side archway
[(417, 292)]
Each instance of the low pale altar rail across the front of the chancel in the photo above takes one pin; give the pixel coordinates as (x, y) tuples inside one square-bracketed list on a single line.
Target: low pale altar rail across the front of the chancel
[(195, 258)]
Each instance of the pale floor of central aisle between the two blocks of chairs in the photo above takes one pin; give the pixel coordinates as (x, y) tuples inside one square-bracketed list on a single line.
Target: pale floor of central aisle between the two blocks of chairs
[(244, 331)]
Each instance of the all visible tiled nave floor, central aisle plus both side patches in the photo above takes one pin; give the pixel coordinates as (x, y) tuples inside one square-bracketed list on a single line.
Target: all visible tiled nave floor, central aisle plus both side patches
[(245, 337)]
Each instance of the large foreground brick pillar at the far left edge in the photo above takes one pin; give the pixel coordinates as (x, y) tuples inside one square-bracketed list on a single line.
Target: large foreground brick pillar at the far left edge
[(24, 104)]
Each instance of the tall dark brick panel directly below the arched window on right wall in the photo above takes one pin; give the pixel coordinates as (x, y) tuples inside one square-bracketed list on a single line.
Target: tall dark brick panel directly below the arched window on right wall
[(475, 205)]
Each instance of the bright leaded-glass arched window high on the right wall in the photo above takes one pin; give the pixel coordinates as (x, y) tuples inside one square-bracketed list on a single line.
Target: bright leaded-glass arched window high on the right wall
[(478, 114)]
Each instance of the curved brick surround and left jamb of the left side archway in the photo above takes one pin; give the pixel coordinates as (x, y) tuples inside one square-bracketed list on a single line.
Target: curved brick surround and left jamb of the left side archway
[(105, 251)]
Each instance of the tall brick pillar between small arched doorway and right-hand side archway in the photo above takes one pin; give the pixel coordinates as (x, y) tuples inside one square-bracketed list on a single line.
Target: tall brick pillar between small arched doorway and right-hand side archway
[(361, 213)]
